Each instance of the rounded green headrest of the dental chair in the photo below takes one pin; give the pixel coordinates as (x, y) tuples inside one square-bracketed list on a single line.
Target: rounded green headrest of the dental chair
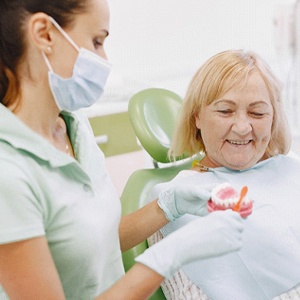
[(153, 114)]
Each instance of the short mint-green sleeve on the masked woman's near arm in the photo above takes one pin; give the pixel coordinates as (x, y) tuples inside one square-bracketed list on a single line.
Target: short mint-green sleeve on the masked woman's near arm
[(21, 215)]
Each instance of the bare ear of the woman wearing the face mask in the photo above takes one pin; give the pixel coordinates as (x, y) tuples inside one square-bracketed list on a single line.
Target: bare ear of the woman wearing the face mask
[(41, 31)]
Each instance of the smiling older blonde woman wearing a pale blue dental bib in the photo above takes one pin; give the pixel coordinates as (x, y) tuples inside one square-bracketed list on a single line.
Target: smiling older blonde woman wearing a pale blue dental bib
[(233, 114)]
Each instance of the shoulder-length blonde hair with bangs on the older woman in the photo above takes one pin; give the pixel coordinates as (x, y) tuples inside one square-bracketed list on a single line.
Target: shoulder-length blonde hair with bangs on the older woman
[(215, 77)]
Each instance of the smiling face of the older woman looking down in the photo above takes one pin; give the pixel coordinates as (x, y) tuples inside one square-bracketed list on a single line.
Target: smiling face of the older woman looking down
[(236, 128)]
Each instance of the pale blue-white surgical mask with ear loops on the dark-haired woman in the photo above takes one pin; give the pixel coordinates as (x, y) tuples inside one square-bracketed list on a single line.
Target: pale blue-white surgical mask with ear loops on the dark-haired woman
[(87, 83)]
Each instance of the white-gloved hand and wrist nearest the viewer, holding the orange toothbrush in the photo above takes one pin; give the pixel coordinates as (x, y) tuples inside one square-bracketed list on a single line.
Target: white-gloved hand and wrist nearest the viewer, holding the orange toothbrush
[(216, 234)]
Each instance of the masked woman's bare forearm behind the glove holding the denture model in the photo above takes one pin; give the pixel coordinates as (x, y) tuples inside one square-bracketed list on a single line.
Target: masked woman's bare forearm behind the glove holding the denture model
[(139, 225)]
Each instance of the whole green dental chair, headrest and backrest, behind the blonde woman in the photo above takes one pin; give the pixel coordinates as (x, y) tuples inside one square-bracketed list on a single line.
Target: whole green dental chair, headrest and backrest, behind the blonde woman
[(153, 114)]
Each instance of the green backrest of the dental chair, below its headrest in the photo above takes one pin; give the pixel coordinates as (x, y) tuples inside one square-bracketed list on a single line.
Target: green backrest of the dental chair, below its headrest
[(135, 195)]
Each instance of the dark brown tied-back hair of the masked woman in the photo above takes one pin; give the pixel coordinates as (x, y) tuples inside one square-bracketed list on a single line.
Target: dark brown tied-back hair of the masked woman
[(13, 14)]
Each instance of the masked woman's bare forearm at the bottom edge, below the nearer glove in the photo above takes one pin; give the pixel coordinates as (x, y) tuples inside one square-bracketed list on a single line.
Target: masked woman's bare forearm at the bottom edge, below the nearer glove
[(139, 283)]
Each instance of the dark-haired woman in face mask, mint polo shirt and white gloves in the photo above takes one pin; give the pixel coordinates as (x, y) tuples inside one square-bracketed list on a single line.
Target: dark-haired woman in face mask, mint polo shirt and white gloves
[(61, 232)]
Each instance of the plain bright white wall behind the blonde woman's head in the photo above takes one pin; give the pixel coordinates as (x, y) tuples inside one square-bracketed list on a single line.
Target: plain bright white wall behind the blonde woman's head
[(163, 42)]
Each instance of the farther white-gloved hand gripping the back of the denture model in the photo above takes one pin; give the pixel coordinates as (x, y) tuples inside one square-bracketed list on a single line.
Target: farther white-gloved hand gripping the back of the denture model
[(183, 199)]
